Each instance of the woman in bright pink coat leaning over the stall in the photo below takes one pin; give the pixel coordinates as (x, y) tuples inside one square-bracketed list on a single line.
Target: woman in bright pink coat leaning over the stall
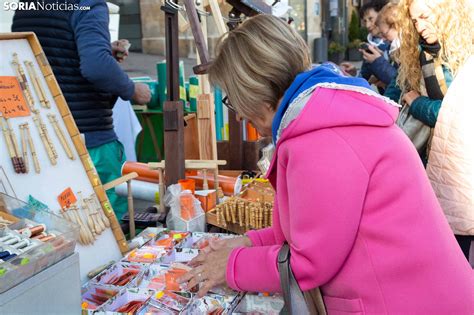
[(352, 197)]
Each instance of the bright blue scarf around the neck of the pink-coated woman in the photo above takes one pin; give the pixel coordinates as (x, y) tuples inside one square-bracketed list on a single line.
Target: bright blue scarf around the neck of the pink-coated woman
[(325, 73)]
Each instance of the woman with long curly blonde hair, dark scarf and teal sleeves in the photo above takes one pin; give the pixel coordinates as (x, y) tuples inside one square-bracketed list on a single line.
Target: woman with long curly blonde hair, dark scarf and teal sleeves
[(435, 42)]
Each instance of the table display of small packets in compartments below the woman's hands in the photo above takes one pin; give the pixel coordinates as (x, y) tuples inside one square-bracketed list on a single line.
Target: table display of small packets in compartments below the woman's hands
[(144, 281)]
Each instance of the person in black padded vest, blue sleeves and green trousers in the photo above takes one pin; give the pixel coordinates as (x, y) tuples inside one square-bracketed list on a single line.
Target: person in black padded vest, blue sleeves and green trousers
[(77, 45)]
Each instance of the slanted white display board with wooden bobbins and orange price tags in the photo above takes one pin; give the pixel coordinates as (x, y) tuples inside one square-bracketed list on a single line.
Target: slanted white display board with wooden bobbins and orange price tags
[(43, 155)]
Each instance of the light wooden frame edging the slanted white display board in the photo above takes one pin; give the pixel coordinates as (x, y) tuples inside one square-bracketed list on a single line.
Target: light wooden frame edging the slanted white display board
[(72, 131)]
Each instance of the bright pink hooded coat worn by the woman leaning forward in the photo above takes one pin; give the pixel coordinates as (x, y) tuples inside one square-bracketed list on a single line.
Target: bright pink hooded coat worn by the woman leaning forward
[(355, 204)]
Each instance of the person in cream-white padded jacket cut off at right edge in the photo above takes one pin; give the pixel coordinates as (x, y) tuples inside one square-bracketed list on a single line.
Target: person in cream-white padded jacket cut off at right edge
[(451, 163)]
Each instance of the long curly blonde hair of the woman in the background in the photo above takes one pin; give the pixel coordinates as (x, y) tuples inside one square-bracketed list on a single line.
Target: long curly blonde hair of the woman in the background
[(454, 27)]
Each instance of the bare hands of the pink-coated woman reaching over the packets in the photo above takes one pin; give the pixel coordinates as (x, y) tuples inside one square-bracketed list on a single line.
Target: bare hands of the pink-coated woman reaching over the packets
[(209, 269)]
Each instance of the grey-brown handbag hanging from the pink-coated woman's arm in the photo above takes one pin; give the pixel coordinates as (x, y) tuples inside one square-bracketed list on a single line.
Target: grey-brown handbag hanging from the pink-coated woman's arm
[(296, 301)]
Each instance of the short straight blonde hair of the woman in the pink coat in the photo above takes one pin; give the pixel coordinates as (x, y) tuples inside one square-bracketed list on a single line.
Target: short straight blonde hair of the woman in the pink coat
[(257, 62)]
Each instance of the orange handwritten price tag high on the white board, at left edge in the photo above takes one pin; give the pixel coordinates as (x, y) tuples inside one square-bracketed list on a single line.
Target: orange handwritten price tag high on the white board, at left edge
[(12, 102)]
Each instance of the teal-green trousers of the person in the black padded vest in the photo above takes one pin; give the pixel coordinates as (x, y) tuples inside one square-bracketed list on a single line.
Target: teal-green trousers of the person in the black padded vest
[(108, 160)]
